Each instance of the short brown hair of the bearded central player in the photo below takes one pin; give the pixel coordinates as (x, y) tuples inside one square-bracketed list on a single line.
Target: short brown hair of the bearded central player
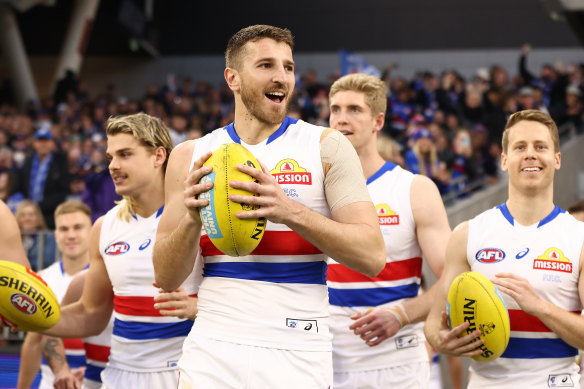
[(236, 45)]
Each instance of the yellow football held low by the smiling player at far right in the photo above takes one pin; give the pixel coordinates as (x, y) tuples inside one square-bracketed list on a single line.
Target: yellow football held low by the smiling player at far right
[(474, 298)]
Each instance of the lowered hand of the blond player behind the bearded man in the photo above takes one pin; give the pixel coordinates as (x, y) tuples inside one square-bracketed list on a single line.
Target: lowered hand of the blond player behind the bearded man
[(374, 325)]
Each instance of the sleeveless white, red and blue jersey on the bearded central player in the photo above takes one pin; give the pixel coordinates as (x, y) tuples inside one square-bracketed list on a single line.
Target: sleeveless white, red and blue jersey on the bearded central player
[(275, 297)]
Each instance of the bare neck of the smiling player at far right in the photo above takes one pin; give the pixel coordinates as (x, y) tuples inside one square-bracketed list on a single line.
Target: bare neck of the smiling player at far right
[(529, 209)]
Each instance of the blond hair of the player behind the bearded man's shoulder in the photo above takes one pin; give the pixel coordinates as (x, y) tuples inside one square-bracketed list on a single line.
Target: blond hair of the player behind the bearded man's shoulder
[(374, 89)]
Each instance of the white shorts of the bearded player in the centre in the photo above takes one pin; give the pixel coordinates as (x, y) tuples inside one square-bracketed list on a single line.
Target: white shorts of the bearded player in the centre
[(207, 363)]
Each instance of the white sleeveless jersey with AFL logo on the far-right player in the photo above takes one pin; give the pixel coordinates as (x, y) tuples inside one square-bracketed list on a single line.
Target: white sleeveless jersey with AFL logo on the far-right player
[(547, 254)]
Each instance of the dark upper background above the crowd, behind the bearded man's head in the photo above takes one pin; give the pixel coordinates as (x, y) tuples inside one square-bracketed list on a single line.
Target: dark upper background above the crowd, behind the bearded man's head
[(182, 27)]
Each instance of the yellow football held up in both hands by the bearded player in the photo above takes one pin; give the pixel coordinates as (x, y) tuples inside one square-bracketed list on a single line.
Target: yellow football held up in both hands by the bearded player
[(231, 235)]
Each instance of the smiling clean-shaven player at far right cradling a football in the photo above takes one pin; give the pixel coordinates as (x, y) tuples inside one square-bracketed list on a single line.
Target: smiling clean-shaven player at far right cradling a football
[(539, 273)]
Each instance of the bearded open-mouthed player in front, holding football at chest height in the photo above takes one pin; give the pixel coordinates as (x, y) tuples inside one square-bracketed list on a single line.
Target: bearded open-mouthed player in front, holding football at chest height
[(263, 318)]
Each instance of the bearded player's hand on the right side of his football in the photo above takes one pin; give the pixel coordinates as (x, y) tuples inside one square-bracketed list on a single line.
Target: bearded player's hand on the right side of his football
[(273, 203)]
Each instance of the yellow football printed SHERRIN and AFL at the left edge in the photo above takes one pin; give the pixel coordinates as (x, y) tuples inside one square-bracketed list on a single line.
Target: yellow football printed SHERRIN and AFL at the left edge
[(25, 299)]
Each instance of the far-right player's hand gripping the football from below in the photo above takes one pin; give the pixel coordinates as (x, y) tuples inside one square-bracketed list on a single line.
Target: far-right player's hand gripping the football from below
[(449, 341)]
